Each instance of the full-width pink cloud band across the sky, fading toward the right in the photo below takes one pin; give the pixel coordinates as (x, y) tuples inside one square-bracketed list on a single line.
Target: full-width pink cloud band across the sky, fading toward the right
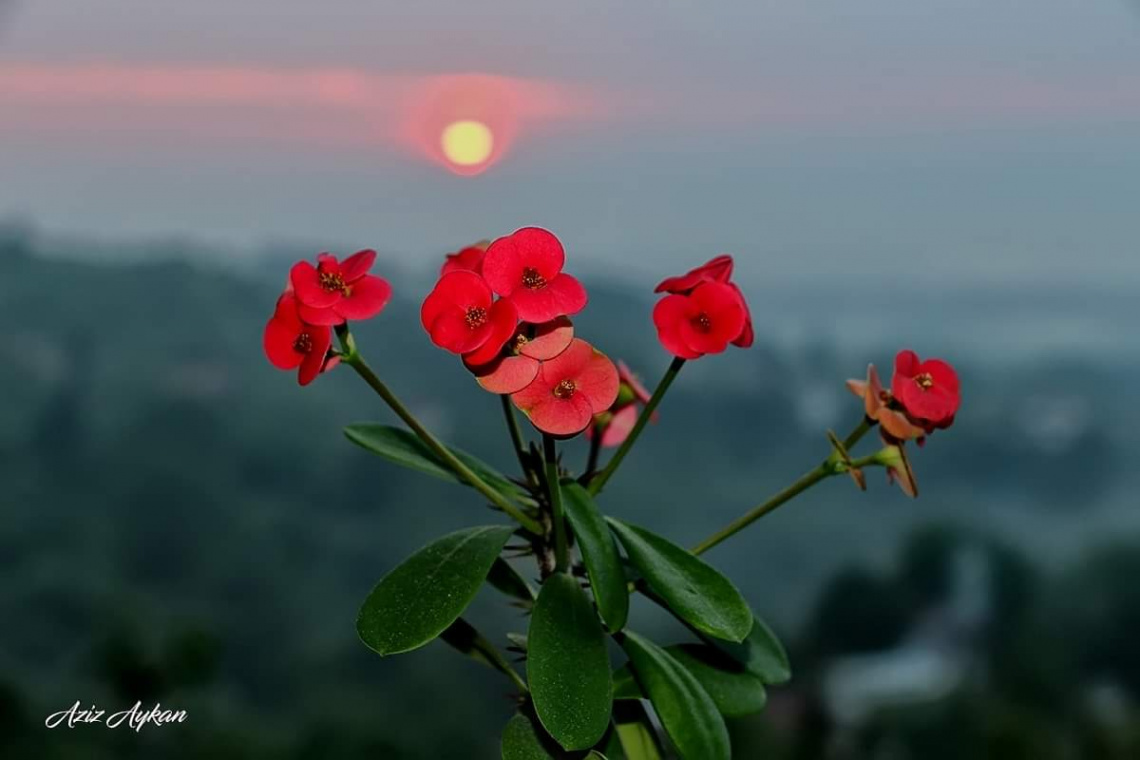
[(404, 112)]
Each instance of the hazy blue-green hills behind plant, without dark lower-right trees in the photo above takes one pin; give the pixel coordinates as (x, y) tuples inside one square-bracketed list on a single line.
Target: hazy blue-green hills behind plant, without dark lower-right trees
[(170, 499)]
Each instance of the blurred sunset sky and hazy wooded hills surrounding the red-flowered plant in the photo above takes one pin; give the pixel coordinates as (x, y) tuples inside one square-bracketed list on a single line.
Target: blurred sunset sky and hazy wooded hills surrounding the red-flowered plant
[(181, 522)]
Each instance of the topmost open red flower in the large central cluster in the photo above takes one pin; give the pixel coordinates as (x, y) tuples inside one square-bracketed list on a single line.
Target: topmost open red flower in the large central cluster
[(526, 267)]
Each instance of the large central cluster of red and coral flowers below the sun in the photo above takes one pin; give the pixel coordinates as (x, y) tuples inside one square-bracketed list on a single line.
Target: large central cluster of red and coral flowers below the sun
[(506, 309)]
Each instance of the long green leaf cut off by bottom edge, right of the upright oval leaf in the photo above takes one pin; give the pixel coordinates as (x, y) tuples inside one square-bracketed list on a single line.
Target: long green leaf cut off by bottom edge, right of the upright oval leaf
[(687, 712)]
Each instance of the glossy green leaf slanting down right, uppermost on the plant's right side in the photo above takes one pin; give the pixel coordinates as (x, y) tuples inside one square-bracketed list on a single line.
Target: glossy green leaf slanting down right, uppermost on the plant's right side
[(693, 590)]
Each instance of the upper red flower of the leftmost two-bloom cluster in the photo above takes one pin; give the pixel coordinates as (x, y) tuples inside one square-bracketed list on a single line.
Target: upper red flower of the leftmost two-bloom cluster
[(332, 291)]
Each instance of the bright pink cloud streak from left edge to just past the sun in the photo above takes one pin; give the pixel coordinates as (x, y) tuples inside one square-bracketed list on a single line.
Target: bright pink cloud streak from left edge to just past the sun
[(324, 107)]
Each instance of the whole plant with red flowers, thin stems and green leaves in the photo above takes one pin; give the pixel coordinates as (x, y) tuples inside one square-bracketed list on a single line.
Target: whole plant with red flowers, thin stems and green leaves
[(506, 309)]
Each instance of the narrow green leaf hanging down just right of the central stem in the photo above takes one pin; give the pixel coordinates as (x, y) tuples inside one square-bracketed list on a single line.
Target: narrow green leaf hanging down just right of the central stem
[(600, 553)]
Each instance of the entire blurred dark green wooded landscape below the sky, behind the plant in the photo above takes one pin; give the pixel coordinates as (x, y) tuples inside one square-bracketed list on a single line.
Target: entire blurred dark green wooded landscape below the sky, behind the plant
[(181, 522)]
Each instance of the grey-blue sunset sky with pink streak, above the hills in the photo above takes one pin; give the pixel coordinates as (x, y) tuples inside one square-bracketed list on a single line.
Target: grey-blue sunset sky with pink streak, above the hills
[(973, 140)]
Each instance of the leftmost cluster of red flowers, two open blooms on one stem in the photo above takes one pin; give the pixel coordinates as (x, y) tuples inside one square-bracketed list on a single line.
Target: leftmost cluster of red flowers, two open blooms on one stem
[(299, 334)]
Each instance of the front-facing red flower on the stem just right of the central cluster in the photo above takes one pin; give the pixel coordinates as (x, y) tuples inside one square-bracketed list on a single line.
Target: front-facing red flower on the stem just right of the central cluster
[(704, 322)]
